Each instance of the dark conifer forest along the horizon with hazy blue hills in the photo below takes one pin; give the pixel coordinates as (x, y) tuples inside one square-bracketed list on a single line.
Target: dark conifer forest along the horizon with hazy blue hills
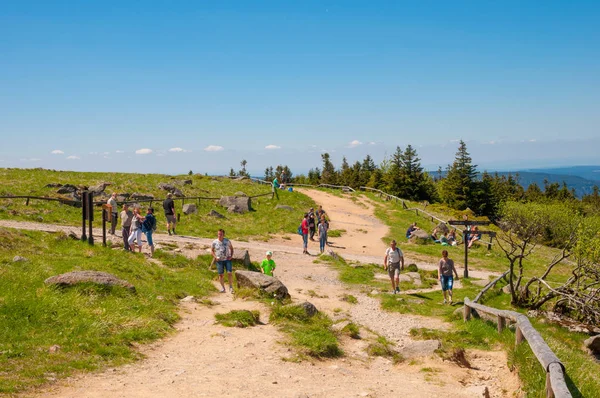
[(459, 186)]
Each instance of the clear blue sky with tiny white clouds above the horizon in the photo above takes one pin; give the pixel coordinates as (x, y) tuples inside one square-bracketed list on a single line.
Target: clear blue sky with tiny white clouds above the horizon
[(161, 86)]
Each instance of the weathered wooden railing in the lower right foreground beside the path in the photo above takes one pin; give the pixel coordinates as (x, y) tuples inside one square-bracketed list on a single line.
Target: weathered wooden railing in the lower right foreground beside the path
[(555, 370)]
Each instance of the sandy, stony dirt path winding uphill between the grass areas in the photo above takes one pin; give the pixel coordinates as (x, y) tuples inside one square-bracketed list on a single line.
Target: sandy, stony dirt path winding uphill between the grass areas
[(207, 360)]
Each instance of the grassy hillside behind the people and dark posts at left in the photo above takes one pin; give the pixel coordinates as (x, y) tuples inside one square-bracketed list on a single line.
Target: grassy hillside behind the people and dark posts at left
[(262, 222)]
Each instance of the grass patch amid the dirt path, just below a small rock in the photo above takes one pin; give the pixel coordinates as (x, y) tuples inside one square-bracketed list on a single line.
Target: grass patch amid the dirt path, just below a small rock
[(312, 335)]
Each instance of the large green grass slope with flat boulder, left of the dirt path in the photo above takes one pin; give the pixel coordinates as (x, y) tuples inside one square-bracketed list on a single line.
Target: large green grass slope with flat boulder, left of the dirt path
[(94, 326)]
